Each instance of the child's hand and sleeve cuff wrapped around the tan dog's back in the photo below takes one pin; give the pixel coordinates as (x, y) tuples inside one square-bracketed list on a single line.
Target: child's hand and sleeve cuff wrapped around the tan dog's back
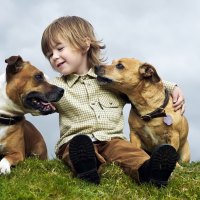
[(177, 96)]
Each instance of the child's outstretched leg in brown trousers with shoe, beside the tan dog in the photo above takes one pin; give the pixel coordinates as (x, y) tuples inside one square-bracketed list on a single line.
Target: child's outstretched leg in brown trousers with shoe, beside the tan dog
[(137, 164)]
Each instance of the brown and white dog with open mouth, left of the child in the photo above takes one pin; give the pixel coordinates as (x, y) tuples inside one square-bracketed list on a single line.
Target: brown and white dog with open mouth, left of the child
[(23, 89)]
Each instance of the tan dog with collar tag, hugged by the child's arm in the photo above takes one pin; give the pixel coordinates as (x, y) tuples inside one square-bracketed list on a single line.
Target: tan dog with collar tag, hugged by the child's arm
[(152, 118)]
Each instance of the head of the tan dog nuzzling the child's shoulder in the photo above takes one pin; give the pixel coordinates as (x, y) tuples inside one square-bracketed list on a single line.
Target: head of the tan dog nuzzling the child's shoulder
[(126, 73)]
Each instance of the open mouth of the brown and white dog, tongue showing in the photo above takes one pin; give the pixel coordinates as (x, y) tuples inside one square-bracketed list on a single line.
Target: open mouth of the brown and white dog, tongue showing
[(40, 102)]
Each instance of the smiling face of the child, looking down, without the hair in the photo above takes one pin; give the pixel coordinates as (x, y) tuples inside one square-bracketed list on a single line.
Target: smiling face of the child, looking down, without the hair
[(66, 60)]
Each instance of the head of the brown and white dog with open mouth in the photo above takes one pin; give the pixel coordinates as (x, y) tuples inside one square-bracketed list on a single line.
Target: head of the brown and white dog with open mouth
[(27, 87)]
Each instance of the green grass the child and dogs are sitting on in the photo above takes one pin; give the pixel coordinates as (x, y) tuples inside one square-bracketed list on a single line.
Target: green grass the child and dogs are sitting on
[(35, 179)]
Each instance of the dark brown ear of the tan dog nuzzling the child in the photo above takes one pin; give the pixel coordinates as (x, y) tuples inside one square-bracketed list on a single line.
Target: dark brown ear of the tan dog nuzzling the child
[(147, 71)]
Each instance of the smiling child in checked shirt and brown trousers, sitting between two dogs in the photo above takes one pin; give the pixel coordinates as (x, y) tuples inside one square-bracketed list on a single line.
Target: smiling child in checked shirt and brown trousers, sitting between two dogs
[(91, 116)]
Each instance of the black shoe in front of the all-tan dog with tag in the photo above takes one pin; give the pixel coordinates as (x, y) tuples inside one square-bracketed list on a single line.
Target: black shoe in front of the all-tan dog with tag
[(158, 169)]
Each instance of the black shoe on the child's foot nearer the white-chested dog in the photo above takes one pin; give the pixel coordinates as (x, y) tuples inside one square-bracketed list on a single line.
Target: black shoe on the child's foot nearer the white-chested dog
[(82, 156)]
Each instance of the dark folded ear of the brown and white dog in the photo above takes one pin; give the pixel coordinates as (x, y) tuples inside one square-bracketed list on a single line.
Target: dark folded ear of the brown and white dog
[(14, 65)]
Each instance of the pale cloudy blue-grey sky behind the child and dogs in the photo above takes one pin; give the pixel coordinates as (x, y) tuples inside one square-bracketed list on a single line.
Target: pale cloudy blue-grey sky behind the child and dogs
[(163, 33)]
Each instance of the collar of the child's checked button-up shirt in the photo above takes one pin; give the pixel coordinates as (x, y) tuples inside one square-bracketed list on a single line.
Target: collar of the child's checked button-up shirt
[(73, 78)]
